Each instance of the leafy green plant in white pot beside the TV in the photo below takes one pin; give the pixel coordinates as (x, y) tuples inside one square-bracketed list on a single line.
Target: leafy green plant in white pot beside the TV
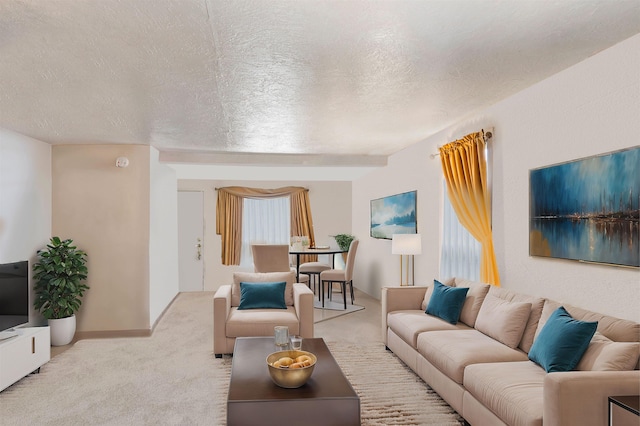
[(58, 285)]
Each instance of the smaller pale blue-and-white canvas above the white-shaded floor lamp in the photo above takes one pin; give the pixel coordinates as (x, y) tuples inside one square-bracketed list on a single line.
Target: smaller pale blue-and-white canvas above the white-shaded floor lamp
[(395, 214)]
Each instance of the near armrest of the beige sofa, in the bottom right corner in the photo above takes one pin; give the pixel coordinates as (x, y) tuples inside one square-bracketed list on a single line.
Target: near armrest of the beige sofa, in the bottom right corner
[(581, 397)]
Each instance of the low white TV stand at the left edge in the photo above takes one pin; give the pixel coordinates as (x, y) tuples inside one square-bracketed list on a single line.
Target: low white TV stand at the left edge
[(23, 354)]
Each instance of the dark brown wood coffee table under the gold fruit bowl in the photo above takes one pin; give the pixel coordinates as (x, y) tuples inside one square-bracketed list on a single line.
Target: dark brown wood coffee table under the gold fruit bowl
[(326, 399)]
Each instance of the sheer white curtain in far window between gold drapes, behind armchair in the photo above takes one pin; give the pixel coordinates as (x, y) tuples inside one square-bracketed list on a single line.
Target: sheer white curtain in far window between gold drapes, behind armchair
[(264, 221)]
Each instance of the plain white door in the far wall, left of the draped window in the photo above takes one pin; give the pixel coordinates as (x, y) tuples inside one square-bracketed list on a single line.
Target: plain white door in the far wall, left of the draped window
[(190, 241)]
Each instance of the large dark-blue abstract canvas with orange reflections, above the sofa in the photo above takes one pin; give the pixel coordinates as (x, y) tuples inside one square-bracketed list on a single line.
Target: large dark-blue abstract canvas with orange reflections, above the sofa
[(587, 209)]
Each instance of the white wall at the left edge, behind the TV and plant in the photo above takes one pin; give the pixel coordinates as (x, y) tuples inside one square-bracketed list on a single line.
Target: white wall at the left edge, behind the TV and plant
[(25, 200)]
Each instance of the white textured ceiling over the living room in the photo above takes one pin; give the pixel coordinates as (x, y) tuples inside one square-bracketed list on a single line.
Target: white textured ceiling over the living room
[(343, 79)]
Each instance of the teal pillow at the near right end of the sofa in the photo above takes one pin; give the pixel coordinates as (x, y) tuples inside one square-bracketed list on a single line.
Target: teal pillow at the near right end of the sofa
[(561, 342)]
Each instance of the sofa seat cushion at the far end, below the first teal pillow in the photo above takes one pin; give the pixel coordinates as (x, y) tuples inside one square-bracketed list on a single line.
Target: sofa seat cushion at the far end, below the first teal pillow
[(409, 324)]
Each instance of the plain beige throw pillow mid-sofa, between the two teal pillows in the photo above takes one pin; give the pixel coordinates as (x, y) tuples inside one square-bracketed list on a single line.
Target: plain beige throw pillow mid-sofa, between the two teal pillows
[(504, 321)]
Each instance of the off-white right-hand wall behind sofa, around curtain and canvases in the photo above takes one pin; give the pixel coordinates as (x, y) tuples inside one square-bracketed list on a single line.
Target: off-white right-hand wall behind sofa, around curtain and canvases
[(589, 109)]
